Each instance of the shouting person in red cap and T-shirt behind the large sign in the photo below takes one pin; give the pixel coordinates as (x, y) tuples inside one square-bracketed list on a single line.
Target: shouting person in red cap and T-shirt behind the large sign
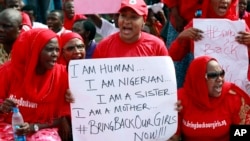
[(130, 41)]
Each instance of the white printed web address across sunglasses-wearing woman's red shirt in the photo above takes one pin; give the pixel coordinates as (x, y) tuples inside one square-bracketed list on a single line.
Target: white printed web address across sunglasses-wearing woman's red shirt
[(196, 125)]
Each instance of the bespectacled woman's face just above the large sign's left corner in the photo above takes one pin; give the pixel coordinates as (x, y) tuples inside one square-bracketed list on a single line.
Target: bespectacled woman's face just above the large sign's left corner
[(74, 49)]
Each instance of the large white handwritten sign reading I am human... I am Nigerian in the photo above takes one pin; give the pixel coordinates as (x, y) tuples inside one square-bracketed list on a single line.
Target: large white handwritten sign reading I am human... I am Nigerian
[(123, 99)]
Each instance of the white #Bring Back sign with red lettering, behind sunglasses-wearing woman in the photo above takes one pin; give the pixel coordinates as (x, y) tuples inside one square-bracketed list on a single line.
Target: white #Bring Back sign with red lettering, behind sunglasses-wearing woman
[(219, 42)]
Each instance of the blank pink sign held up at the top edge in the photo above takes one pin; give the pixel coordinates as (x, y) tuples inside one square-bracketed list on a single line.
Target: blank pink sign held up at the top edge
[(97, 6)]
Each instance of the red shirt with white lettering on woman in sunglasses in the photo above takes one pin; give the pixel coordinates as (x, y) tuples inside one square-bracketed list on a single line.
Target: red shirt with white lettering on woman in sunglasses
[(198, 124)]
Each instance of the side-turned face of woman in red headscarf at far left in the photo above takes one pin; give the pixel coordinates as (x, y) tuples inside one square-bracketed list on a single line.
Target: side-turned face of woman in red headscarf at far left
[(48, 56)]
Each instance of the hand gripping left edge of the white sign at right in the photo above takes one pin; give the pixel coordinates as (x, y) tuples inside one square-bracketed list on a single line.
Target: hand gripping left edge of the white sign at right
[(190, 33)]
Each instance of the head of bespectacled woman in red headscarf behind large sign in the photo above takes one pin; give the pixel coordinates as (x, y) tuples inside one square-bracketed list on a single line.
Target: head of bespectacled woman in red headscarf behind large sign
[(72, 47)]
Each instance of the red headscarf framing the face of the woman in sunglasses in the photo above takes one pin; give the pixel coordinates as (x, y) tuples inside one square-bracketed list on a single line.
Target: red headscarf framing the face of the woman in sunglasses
[(195, 85)]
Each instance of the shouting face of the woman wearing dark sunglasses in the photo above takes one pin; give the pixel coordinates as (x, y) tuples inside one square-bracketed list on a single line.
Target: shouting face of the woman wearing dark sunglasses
[(215, 78)]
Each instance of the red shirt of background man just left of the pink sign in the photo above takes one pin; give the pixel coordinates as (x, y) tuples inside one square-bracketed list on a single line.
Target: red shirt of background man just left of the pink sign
[(68, 23)]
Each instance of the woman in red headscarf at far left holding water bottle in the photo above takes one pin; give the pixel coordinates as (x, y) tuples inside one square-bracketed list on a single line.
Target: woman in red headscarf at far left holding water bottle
[(34, 82)]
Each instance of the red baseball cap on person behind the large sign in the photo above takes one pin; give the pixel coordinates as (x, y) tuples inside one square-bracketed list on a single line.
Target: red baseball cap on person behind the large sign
[(139, 6)]
